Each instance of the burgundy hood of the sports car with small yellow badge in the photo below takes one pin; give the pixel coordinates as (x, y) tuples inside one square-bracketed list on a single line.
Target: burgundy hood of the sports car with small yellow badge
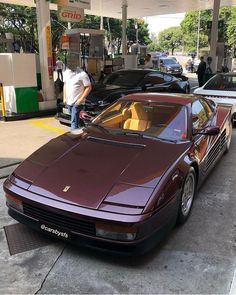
[(84, 171)]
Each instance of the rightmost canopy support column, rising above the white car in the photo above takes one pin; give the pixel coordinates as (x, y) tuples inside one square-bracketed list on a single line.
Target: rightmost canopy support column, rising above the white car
[(214, 35)]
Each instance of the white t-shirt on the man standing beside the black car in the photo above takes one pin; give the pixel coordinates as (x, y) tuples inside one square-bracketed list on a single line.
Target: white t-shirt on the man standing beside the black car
[(74, 85)]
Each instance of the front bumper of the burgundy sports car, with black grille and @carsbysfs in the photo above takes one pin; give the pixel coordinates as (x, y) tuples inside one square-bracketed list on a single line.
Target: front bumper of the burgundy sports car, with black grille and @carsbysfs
[(58, 216)]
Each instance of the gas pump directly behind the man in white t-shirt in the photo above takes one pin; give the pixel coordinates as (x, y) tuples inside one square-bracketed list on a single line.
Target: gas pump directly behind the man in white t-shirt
[(86, 50)]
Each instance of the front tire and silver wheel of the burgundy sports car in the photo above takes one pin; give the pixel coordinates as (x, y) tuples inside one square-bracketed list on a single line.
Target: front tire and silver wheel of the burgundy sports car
[(187, 196)]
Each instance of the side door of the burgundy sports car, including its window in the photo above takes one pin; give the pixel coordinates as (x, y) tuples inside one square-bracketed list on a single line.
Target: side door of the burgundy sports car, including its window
[(202, 116)]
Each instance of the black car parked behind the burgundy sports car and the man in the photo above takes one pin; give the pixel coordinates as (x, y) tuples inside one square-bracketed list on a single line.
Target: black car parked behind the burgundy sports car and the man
[(124, 82)]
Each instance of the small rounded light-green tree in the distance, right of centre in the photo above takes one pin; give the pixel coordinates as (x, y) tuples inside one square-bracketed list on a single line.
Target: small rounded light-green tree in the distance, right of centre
[(170, 39)]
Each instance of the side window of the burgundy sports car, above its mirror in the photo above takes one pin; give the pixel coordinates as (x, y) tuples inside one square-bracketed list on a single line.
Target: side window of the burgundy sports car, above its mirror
[(199, 115)]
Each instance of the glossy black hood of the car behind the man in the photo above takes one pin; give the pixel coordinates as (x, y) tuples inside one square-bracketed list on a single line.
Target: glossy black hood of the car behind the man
[(101, 92)]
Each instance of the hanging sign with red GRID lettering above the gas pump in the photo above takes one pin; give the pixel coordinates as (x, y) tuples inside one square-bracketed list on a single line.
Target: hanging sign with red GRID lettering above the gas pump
[(70, 14)]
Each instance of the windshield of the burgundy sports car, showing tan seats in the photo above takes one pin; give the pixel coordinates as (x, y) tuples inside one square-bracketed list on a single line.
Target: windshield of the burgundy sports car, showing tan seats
[(155, 120)]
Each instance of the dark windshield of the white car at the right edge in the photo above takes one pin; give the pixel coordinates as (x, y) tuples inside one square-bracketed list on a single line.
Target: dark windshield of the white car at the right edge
[(222, 82)]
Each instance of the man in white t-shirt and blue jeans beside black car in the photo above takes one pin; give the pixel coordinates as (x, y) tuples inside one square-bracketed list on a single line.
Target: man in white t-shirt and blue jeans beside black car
[(77, 87)]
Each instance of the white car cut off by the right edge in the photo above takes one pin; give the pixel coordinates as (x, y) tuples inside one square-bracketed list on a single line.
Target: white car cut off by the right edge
[(221, 88)]
